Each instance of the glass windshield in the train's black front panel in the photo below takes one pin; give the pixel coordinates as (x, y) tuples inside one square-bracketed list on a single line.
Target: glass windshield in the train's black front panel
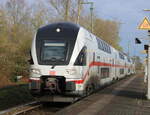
[(53, 51)]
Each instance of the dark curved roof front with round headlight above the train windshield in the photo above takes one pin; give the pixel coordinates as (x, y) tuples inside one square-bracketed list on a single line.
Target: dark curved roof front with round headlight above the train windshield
[(66, 29)]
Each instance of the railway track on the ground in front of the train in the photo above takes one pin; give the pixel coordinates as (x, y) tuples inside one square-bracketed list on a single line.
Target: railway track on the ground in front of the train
[(35, 108)]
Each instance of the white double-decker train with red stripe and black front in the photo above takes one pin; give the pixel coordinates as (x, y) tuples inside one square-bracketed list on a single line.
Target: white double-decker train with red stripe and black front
[(68, 60)]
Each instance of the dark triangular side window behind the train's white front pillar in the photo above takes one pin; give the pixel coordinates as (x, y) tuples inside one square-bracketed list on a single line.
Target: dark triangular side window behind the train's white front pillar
[(81, 59)]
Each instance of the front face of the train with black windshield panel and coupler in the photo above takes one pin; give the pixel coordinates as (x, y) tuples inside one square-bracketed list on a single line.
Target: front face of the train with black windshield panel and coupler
[(51, 71)]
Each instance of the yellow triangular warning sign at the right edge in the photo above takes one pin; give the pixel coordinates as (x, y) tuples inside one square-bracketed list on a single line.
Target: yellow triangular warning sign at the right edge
[(145, 25)]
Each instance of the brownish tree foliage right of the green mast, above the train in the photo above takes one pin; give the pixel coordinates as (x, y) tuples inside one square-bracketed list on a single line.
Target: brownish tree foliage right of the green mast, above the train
[(108, 31)]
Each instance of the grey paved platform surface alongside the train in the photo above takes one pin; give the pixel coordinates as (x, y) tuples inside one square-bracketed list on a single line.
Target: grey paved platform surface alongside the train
[(126, 97)]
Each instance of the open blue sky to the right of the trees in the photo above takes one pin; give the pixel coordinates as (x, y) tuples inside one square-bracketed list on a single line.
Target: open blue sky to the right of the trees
[(130, 14)]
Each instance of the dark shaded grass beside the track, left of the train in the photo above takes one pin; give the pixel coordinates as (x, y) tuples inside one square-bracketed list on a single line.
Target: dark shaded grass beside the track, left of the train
[(14, 95)]
